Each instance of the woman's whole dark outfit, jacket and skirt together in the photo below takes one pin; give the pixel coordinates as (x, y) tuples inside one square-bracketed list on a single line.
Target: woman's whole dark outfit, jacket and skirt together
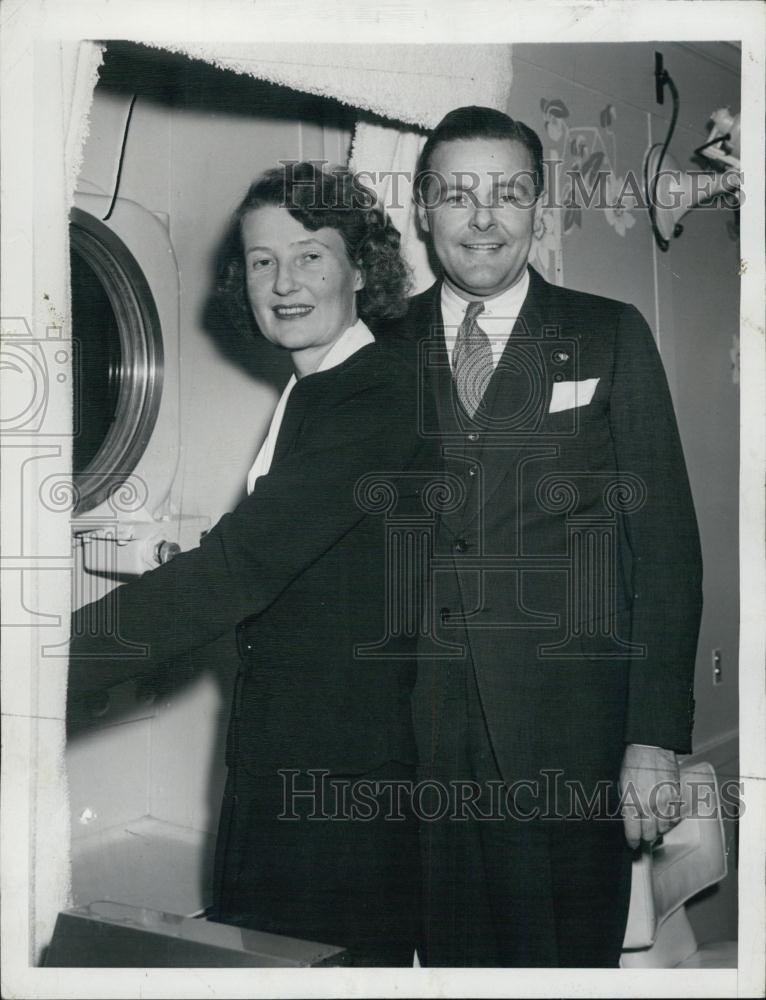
[(299, 569)]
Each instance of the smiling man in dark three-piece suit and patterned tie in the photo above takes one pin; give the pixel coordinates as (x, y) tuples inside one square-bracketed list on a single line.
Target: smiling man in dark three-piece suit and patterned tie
[(567, 577)]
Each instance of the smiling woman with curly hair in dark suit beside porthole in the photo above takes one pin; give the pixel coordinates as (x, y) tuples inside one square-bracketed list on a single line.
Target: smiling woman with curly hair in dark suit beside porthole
[(299, 569)]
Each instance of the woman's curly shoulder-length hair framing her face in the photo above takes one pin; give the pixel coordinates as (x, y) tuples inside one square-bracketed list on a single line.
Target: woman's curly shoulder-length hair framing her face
[(316, 198)]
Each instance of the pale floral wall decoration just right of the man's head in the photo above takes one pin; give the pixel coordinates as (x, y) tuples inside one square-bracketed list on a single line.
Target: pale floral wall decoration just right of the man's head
[(581, 171)]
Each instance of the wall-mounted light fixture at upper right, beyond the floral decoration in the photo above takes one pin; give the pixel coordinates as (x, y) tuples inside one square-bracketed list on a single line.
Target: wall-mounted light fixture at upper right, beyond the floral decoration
[(670, 192)]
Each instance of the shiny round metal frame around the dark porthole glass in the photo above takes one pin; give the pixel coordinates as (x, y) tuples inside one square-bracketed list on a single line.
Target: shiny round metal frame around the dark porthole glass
[(140, 334)]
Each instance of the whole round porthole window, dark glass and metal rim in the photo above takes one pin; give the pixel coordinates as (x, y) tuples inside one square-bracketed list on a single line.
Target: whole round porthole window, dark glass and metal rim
[(118, 360)]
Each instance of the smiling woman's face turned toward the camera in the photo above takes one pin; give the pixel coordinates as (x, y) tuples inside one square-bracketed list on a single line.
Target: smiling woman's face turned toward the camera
[(301, 285)]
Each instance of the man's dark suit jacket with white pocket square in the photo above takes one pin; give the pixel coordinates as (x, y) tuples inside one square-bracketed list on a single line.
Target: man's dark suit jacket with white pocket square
[(570, 571)]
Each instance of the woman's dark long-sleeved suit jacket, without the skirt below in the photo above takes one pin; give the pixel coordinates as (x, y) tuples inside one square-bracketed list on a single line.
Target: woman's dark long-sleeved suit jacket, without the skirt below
[(298, 568)]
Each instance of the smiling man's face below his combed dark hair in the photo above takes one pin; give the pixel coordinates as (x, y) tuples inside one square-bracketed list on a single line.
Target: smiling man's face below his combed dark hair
[(480, 213)]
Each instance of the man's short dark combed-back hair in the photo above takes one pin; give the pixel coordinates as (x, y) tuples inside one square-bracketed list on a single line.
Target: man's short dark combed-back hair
[(473, 122)]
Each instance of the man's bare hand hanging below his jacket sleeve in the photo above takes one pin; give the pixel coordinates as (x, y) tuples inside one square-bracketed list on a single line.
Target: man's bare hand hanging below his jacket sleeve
[(651, 792)]
